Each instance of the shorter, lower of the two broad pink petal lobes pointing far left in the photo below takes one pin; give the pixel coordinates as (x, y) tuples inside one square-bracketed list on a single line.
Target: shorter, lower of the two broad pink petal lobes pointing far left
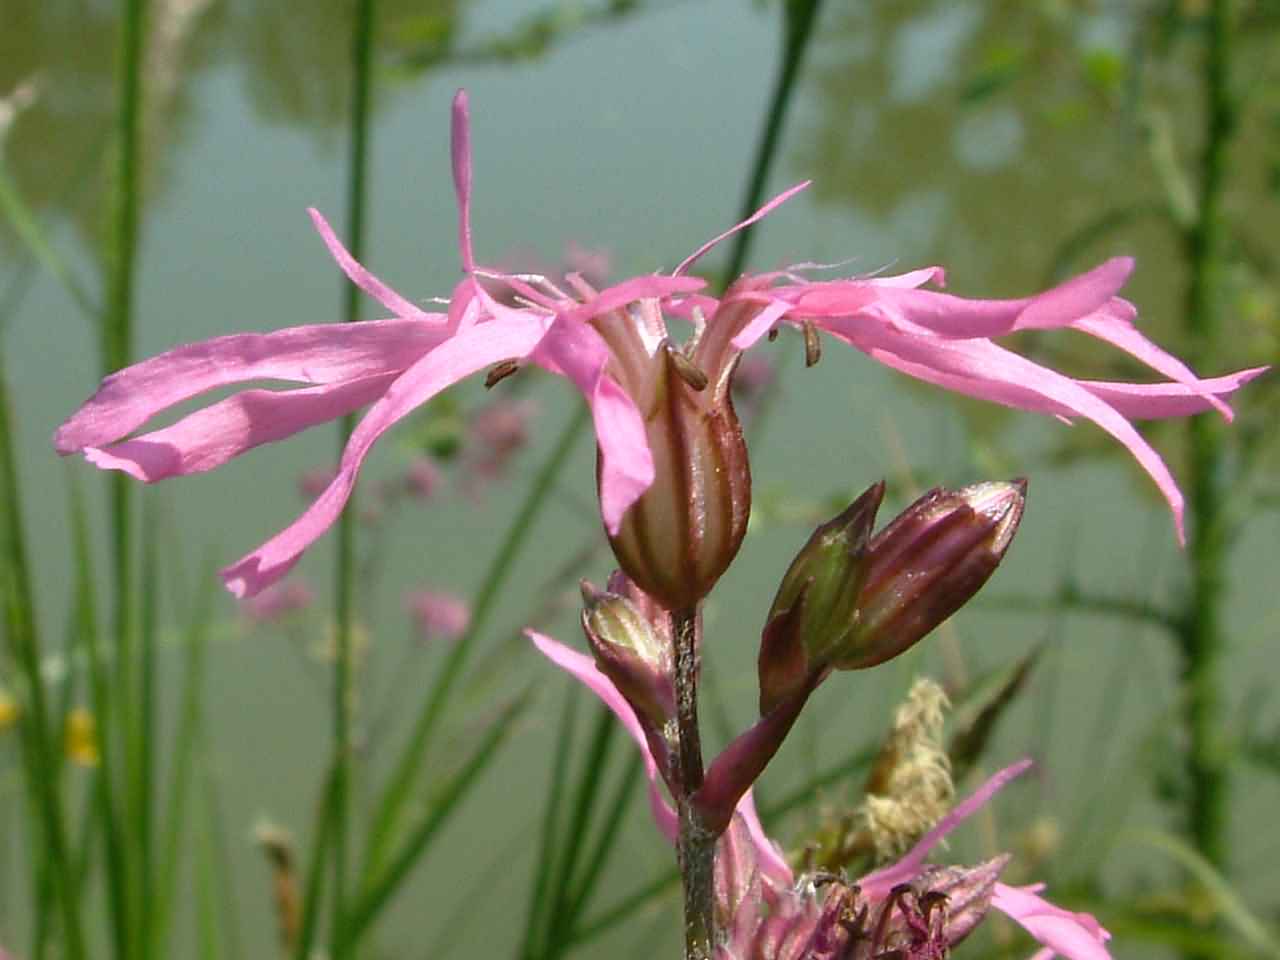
[(216, 435)]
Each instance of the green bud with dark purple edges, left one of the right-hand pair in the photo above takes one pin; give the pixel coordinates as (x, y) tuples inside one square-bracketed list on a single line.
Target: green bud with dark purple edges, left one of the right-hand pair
[(816, 609)]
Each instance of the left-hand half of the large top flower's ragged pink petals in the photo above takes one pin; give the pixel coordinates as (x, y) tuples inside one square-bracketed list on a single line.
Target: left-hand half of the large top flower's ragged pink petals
[(391, 365)]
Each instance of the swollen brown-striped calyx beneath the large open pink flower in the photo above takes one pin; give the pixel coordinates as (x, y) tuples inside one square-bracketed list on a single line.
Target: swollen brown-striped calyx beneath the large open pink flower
[(685, 531)]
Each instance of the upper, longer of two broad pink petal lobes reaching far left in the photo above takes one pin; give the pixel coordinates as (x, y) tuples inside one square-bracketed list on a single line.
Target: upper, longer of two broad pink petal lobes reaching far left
[(319, 354)]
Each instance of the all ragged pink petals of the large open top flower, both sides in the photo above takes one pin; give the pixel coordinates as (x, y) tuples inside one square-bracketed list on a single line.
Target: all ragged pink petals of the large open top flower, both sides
[(610, 345)]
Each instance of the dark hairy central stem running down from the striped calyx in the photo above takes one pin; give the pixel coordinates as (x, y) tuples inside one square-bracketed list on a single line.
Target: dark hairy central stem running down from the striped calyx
[(697, 844)]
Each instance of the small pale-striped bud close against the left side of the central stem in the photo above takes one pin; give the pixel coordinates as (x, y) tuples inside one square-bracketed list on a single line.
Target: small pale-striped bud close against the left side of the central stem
[(629, 650)]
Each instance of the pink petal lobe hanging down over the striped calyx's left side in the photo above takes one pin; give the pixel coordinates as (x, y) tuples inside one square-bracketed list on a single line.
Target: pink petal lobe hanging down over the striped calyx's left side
[(578, 353)]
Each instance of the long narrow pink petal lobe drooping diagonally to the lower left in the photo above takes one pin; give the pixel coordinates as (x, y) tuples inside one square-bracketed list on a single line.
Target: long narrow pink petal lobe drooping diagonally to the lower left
[(450, 363)]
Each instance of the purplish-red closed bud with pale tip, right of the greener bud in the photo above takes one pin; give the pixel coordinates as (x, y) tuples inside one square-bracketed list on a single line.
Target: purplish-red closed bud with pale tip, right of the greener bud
[(927, 564)]
